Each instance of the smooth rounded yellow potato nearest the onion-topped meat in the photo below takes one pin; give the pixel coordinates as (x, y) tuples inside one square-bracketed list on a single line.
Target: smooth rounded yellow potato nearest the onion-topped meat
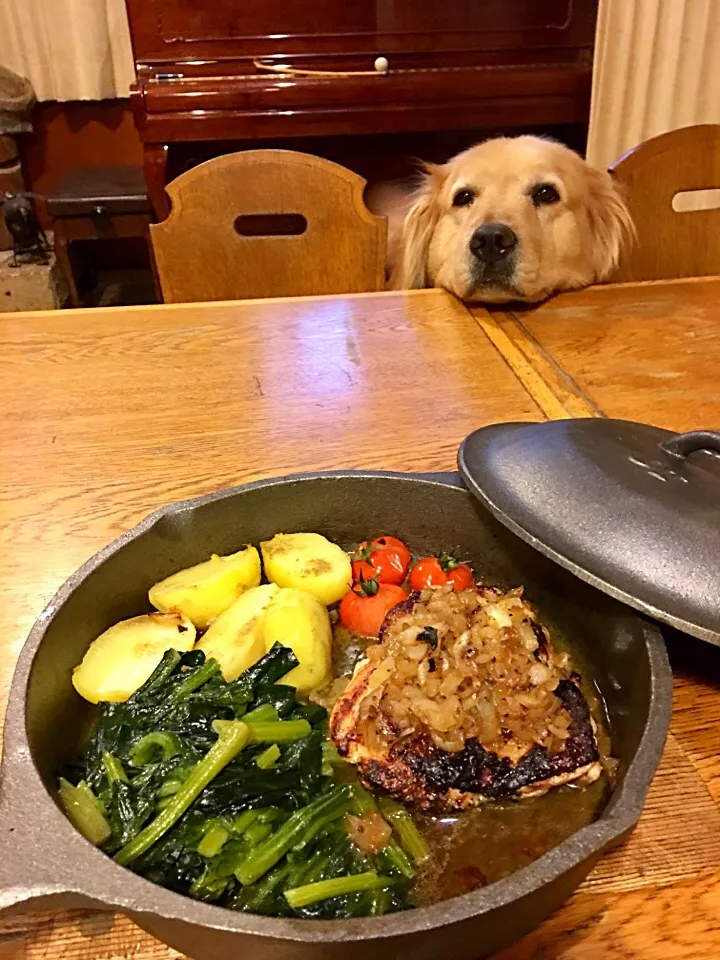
[(298, 620)]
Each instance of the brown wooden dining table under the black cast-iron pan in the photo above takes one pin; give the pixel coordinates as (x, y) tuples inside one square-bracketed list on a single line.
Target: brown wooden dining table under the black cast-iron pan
[(109, 414)]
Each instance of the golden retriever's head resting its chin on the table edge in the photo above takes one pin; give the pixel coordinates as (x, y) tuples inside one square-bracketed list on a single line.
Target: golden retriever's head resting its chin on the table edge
[(512, 219)]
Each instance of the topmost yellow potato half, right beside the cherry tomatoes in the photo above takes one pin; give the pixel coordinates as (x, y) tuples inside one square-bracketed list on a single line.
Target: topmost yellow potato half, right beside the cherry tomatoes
[(310, 562)]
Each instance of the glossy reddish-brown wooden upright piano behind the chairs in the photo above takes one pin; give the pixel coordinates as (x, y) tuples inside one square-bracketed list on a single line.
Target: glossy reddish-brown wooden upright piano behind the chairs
[(249, 71)]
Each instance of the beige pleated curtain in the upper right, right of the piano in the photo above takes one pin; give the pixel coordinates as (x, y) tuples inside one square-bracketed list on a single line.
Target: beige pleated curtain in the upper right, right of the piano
[(657, 68)]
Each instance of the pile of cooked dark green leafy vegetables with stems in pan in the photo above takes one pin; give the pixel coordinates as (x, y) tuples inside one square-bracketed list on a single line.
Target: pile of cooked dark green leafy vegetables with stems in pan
[(226, 792)]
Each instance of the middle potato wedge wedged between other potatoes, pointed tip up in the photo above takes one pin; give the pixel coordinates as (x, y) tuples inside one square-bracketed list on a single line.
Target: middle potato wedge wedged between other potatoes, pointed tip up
[(236, 639)]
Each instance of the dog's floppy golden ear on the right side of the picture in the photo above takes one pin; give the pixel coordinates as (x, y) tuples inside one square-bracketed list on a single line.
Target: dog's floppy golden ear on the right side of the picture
[(611, 225)]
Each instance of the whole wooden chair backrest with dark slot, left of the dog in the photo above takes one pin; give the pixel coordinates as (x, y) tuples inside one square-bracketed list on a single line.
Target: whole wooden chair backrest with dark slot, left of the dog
[(268, 223)]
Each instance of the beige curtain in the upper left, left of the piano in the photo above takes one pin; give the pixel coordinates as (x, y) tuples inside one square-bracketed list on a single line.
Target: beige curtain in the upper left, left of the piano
[(69, 49)]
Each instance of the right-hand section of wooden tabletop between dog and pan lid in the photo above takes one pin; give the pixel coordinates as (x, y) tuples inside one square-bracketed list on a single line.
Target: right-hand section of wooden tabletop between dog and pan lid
[(636, 351)]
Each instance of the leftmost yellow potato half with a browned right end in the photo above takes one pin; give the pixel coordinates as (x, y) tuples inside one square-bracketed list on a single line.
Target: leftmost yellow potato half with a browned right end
[(122, 658)]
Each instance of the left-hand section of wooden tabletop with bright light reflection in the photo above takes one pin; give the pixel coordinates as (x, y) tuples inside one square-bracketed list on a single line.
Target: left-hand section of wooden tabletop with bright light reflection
[(108, 414)]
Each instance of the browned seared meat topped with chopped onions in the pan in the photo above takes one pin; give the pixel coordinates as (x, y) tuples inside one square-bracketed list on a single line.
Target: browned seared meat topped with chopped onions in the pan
[(465, 700)]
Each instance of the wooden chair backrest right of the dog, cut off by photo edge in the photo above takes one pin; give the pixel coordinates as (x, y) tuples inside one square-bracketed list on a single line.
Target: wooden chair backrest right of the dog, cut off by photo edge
[(675, 238)]
